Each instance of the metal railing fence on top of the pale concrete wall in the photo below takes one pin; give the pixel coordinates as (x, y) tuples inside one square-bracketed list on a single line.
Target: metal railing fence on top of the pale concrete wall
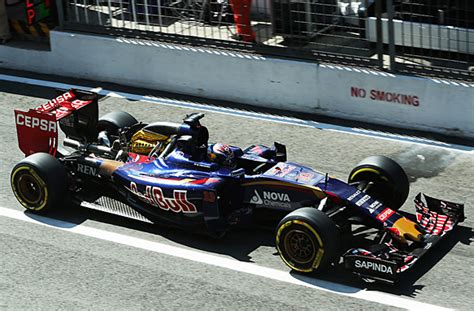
[(428, 37)]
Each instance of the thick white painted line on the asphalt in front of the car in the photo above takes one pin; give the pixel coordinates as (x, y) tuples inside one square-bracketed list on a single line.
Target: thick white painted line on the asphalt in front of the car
[(232, 264)]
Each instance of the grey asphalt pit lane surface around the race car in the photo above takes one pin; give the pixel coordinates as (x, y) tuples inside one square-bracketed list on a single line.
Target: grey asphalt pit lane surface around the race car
[(43, 267)]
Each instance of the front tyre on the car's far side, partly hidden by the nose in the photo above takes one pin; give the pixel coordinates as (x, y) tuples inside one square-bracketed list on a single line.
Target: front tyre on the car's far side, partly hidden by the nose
[(389, 182)]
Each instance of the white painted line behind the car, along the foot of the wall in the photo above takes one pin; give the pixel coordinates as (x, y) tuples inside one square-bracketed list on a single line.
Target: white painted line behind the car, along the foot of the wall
[(244, 113)]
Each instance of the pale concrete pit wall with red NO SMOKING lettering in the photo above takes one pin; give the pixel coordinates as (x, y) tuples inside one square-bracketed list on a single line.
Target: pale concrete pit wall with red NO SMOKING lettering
[(357, 94)]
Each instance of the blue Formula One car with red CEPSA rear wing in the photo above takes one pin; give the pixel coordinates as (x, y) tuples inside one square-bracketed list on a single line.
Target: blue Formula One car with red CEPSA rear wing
[(167, 173)]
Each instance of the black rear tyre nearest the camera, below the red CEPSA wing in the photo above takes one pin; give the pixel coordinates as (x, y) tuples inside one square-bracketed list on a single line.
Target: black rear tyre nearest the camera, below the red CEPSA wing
[(39, 182)]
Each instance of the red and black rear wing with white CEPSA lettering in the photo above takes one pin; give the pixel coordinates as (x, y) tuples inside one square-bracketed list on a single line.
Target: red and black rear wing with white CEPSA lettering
[(74, 111)]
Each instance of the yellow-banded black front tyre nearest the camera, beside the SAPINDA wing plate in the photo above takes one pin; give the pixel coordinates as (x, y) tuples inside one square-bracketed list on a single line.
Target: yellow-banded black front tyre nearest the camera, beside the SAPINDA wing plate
[(307, 240)]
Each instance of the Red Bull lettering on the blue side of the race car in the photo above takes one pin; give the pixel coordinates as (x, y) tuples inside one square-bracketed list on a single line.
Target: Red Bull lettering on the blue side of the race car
[(154, 196)]
